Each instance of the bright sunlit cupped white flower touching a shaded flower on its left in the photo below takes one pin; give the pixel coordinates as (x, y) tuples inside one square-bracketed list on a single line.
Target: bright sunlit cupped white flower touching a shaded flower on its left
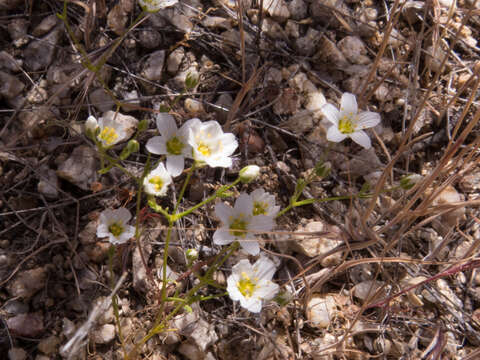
[(211, 145)]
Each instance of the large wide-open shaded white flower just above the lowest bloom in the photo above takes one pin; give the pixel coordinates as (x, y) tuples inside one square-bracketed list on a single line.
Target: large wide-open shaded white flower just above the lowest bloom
[(240, 224)]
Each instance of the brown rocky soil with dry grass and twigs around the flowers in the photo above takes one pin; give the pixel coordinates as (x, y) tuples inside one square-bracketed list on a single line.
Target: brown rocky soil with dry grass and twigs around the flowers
[(391, 275)]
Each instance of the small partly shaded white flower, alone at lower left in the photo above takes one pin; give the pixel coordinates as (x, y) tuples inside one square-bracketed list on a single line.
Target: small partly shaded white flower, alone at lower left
[(113, 224)]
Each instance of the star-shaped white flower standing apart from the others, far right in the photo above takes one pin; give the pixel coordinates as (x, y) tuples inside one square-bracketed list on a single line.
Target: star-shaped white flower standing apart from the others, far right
[(348, 122)]
